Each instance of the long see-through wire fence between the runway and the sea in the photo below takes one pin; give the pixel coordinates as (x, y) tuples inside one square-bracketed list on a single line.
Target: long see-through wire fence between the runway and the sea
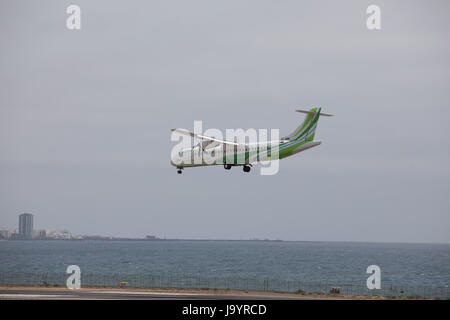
[(234, 283)]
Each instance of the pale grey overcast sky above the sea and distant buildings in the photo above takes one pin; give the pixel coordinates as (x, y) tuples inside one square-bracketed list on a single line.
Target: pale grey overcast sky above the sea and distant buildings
[(85, 117)]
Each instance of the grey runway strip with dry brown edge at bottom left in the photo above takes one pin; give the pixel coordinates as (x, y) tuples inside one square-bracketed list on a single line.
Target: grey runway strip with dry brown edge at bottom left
[(124, 294)]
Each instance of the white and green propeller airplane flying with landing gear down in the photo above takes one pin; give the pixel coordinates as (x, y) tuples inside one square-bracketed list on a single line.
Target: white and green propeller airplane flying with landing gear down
[(230, 154)]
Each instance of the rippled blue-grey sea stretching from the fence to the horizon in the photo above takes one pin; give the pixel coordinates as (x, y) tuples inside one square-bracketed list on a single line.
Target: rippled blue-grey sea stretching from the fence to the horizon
[(329, 263)]
